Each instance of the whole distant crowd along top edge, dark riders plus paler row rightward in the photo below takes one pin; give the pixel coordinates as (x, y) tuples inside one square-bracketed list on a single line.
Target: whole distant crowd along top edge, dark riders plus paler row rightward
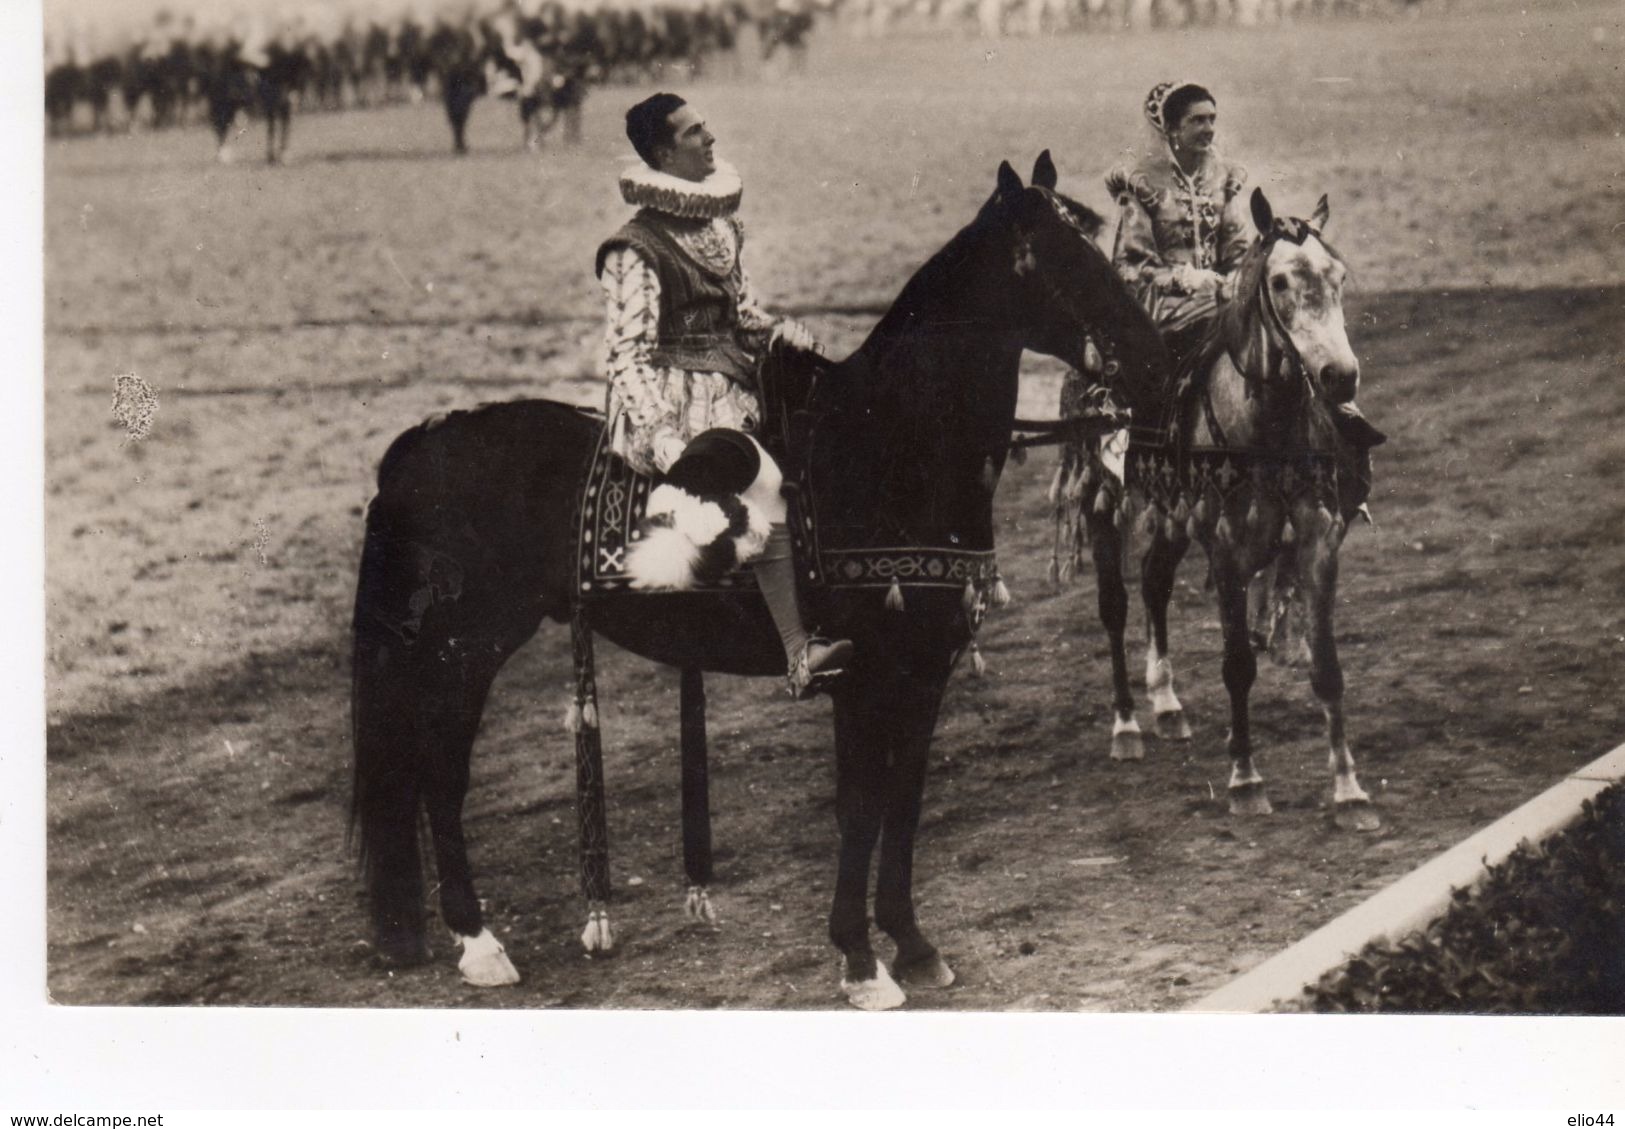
[(544, 54)]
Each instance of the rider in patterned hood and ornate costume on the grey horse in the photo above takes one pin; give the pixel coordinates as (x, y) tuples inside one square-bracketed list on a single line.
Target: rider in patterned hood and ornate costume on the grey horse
[(1185, 227)]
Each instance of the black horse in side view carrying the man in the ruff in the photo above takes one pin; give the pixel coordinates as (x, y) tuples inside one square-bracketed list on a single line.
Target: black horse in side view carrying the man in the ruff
[(470, 545)]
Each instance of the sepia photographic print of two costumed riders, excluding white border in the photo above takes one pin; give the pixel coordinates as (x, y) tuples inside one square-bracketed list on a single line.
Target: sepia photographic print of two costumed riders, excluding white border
[(836, 506)]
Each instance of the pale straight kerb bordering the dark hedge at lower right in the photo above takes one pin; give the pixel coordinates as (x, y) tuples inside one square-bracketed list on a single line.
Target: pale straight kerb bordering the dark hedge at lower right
[(1416, 899)]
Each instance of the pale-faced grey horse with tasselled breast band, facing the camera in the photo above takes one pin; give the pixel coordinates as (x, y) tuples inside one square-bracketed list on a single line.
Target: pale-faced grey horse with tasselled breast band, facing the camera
[(1244, 459)]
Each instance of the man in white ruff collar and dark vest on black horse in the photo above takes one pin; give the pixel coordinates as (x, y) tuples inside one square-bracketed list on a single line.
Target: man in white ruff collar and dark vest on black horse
[(683, 339)]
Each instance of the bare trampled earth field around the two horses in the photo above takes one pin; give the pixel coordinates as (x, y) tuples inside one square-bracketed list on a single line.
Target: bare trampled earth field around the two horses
[(293, 321)]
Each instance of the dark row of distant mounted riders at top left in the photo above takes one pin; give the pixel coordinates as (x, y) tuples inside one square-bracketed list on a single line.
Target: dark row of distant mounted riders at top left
[(544, 54)]
